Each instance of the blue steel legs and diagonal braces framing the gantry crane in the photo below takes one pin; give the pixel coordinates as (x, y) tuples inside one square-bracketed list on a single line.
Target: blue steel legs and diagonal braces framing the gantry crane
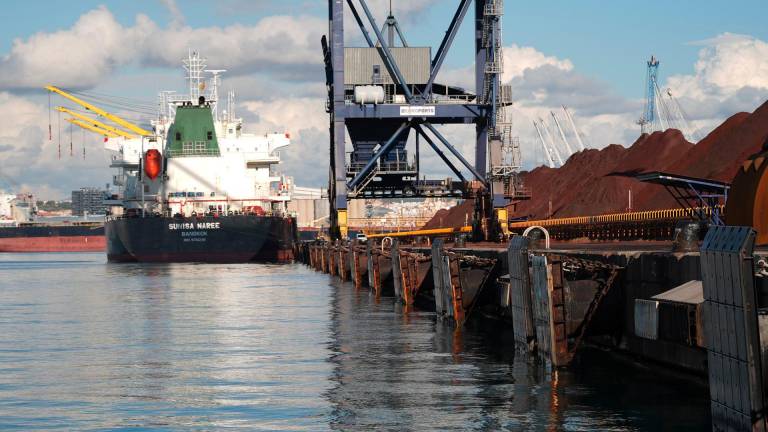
[(479, 114)]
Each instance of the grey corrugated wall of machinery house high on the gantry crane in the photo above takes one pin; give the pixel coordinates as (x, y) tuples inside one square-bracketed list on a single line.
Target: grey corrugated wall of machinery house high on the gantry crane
[(413, 62)]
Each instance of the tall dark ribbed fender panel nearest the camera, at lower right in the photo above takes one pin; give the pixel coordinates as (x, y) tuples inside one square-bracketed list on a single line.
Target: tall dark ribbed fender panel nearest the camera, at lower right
[(731, 326)]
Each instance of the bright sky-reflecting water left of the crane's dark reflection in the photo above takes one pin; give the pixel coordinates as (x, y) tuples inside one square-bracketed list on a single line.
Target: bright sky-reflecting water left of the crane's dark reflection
[(96, 345)]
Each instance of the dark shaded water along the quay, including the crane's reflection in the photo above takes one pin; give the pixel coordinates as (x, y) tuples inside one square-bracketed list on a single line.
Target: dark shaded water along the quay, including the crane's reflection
[(410, 371)]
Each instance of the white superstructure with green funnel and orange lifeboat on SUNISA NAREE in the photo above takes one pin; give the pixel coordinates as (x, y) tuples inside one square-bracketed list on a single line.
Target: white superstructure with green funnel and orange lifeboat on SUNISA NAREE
[(186, 167)]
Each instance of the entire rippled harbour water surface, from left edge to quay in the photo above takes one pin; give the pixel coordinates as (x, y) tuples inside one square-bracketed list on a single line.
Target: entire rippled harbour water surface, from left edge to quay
[(90, 345)]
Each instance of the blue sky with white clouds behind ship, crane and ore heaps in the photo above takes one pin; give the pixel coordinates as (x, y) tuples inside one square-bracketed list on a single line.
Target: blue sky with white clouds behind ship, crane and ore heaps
[(589, 55)]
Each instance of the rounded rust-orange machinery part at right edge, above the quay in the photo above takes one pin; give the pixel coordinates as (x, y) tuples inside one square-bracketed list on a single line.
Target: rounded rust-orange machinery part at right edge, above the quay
[(748, 198)]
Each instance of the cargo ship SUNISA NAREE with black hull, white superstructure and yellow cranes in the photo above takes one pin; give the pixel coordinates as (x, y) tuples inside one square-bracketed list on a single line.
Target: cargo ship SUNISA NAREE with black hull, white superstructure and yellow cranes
[(195, 188)]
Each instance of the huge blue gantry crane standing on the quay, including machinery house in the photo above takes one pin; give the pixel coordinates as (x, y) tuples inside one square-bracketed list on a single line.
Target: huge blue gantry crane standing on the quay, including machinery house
[(379, 94)]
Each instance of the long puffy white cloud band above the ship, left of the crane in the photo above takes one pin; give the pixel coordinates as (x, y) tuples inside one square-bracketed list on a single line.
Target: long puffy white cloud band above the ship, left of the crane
[(97, 45)]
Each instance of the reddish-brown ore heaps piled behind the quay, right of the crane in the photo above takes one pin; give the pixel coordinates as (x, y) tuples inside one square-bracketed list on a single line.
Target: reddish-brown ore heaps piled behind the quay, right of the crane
[(596, 182)]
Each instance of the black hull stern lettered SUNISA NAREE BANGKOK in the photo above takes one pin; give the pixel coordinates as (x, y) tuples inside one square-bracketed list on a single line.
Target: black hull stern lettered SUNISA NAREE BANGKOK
[(225, 239)]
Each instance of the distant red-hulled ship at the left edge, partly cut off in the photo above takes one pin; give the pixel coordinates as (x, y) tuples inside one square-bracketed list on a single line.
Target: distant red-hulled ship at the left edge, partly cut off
[(21, 232)]
